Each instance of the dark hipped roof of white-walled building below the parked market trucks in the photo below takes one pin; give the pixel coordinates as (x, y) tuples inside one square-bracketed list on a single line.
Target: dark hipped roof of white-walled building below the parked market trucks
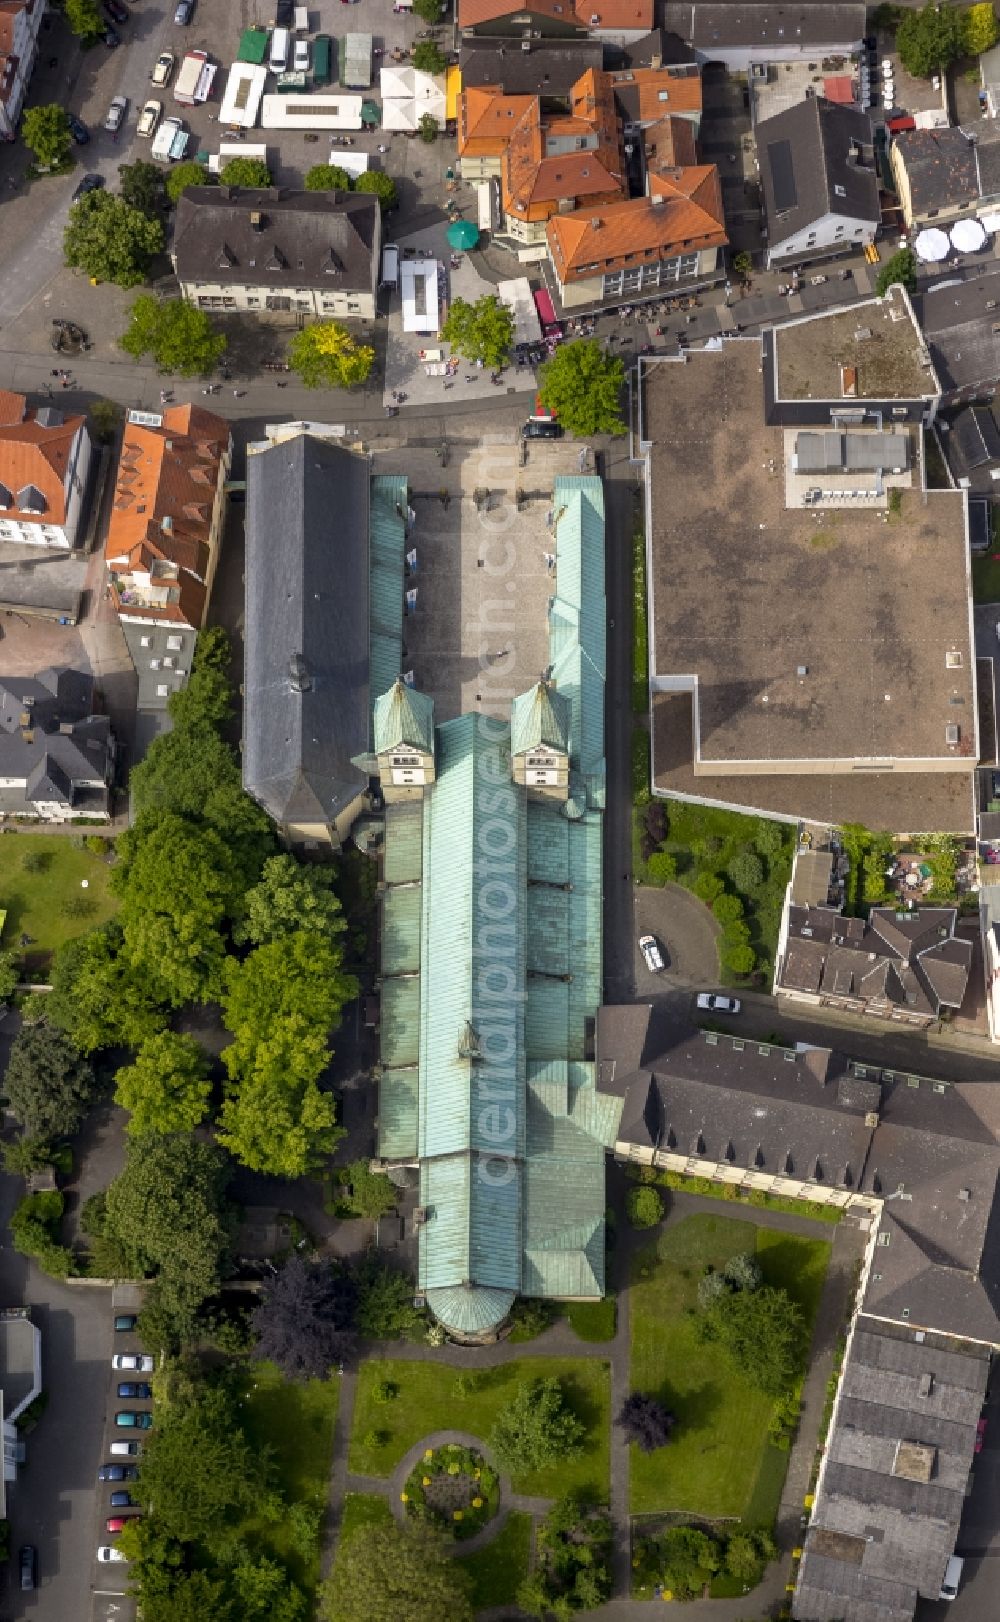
[(307, 239)]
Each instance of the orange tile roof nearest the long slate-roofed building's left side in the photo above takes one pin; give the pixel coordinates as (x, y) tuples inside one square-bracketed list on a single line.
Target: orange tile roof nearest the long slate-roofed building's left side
[(163, 508)]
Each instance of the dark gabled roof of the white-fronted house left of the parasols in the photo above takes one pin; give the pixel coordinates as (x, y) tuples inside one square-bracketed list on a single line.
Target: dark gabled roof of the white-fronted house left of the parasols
[(806, 153)]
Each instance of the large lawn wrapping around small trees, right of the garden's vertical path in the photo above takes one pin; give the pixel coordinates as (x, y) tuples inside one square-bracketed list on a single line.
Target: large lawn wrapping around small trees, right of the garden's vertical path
[(719, 1462)]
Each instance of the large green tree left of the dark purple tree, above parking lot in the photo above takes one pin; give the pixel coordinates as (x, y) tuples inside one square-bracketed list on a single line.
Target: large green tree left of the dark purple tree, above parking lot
[(169, 1214)]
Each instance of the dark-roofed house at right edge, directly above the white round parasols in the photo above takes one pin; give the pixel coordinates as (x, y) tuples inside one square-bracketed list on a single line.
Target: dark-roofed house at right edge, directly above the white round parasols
[(946, 174)]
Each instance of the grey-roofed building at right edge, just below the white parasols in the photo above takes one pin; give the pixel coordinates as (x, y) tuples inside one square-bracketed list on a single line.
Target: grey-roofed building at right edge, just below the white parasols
[(962, 330)]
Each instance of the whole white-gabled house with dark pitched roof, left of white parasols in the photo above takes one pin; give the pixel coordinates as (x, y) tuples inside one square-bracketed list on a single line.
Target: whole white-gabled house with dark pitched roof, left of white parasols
[(819, 179)]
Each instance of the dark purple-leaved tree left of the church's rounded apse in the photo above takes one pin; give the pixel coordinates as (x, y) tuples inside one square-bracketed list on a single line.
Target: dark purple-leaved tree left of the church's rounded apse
[(306, 1318)]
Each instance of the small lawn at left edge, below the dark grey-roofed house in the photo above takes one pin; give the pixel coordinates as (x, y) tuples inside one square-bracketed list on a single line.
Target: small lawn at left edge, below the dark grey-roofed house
[(36, 903)]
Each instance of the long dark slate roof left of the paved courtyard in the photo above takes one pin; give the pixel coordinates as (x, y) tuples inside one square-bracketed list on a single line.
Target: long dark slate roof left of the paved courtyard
[(306, 710)]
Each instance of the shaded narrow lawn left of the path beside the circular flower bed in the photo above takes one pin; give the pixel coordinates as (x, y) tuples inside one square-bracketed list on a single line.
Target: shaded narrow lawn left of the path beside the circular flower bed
[(296, 1420)]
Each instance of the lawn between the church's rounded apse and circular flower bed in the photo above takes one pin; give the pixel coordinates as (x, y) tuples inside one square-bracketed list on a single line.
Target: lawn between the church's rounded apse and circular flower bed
[(427, 1402)]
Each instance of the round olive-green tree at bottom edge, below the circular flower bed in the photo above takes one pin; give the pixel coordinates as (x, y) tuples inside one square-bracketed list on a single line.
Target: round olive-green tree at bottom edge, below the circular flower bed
[(390, 1573)]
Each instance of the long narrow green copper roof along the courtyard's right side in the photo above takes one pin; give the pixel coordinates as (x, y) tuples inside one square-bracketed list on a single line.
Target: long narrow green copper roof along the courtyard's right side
[(578, 617)]
